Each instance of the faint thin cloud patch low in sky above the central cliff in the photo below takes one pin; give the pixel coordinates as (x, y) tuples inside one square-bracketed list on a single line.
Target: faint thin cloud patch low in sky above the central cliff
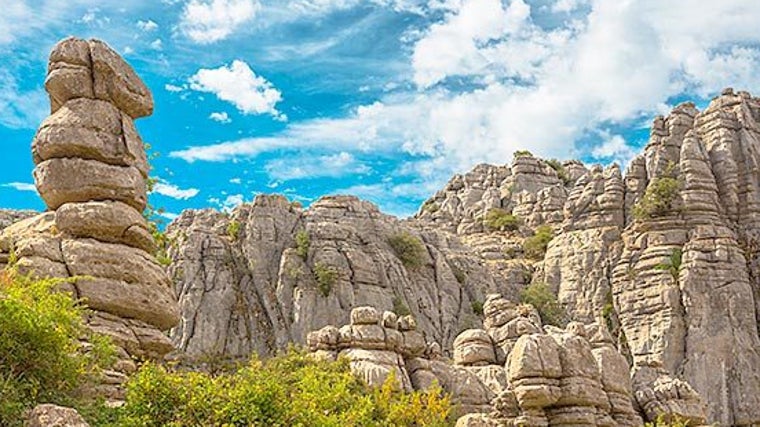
[(334, 166)]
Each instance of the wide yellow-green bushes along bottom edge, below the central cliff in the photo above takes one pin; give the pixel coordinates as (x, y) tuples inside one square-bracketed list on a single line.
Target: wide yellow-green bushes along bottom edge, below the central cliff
[(289, 390)]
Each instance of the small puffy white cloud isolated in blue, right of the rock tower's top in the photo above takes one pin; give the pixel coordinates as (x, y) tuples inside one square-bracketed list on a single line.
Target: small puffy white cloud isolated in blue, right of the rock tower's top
[(239, 85)]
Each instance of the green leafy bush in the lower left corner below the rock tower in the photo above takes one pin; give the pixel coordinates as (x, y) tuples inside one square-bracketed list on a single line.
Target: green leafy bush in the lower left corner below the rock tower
[(41, 358)]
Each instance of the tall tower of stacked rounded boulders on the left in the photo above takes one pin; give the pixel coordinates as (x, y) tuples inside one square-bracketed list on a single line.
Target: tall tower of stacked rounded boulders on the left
[(91, 171)]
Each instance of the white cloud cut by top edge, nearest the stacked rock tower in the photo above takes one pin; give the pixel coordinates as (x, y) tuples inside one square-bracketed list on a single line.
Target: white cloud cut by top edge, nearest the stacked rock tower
[(209, 21)]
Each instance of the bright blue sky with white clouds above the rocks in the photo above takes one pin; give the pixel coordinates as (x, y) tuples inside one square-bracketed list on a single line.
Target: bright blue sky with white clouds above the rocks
[(385, 99)]
